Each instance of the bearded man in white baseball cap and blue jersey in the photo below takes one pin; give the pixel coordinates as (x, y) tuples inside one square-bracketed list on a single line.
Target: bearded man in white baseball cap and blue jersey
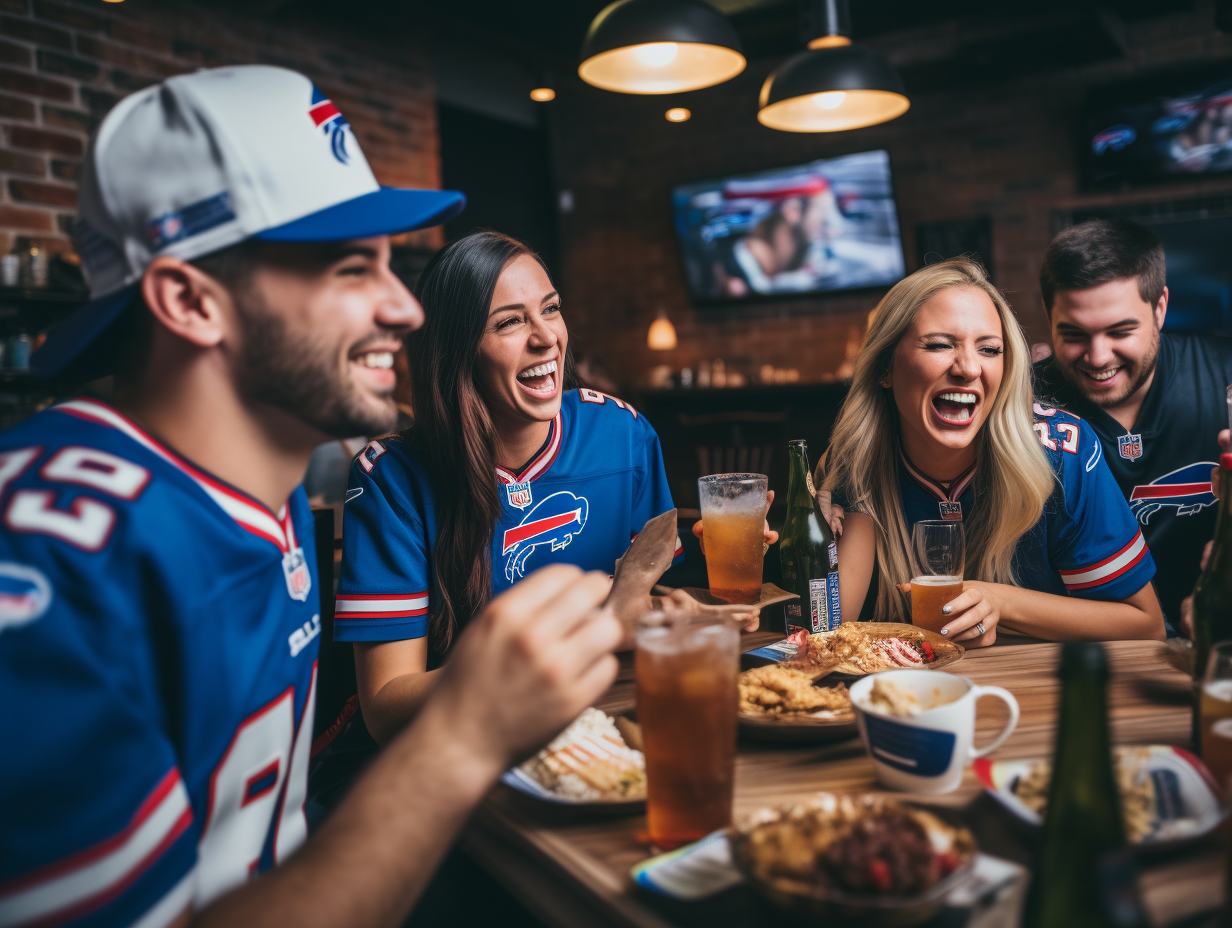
[(158, 630)]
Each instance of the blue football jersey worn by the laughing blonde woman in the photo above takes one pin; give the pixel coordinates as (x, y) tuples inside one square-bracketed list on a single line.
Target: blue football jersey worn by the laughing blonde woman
[(1086, 544)]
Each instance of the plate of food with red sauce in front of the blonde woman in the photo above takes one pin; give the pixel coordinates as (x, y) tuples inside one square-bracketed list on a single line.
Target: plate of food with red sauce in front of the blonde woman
[(859, 649)]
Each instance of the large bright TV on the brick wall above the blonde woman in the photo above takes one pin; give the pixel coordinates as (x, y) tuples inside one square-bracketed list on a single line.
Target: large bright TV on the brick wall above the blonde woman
[(815, 229)]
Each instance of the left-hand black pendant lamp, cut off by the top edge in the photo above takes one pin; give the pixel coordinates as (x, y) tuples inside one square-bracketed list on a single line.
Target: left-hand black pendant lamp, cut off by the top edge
[(660, 47)]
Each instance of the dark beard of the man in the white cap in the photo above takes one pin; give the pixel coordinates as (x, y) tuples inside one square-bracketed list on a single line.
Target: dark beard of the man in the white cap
[(301, 378)]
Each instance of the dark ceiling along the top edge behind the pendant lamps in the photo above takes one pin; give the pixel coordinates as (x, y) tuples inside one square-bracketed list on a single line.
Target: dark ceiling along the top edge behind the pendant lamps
[(985, 41)]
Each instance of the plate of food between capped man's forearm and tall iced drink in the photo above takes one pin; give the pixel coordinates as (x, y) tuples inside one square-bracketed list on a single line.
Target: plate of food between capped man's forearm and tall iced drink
[(597, 763)]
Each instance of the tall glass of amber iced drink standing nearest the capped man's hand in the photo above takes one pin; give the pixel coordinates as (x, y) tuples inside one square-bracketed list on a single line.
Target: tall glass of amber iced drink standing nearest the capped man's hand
[(687, 701)]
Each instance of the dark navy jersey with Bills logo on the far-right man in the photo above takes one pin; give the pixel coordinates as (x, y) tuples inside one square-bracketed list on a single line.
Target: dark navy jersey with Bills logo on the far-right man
[(1164, 464)]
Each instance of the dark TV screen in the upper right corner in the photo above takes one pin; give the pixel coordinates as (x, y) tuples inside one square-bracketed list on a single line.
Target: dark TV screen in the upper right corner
[(1180, 128)]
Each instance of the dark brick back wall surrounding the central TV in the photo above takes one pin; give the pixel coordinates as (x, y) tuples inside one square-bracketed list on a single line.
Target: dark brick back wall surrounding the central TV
[(1010, 152)]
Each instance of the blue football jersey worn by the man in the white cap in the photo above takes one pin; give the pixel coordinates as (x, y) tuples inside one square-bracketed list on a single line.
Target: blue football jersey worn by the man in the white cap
[(158, 665)]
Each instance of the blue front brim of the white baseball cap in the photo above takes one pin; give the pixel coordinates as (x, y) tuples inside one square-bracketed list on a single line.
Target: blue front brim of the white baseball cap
[(385, 213)]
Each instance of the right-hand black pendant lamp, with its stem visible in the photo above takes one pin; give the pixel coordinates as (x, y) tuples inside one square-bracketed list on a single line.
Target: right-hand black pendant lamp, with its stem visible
[(835, 86)]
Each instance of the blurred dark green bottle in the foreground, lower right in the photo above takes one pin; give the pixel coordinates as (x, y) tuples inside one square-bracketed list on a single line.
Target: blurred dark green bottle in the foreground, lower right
[(1084, 826)]
